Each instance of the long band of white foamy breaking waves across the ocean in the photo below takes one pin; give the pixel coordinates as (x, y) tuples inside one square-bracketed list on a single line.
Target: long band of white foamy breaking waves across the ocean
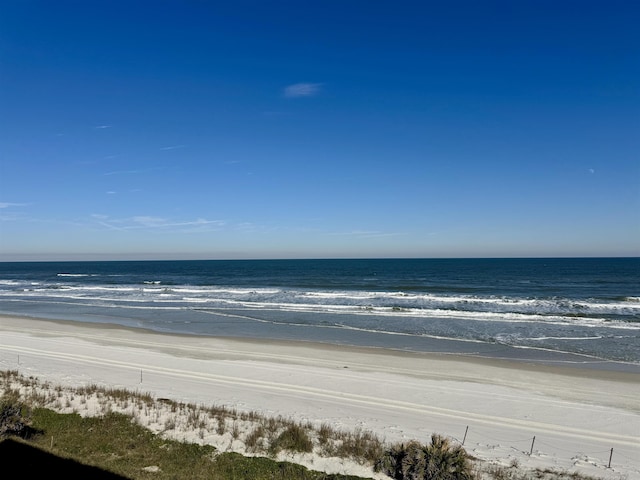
[(357, 303)]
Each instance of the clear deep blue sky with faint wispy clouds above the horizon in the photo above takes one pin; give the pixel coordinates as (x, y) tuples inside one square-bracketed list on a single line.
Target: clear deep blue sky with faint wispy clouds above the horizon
[(246, 129)]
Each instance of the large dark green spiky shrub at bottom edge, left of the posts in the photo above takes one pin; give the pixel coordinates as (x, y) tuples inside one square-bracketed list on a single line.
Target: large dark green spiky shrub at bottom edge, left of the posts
[(439, 460)]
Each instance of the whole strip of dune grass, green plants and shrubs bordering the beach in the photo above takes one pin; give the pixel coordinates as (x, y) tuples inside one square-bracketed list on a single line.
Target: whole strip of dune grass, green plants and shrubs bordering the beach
[(118, 438)]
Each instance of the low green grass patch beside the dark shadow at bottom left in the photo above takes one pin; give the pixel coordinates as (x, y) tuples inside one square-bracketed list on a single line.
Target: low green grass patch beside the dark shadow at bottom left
[(114, 443)]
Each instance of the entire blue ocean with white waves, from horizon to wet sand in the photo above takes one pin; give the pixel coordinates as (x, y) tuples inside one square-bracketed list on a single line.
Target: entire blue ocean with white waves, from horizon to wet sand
[(555, 309)]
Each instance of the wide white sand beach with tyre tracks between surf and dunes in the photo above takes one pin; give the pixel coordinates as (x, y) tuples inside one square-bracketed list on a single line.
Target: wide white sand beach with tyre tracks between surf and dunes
[(577, 415)]
